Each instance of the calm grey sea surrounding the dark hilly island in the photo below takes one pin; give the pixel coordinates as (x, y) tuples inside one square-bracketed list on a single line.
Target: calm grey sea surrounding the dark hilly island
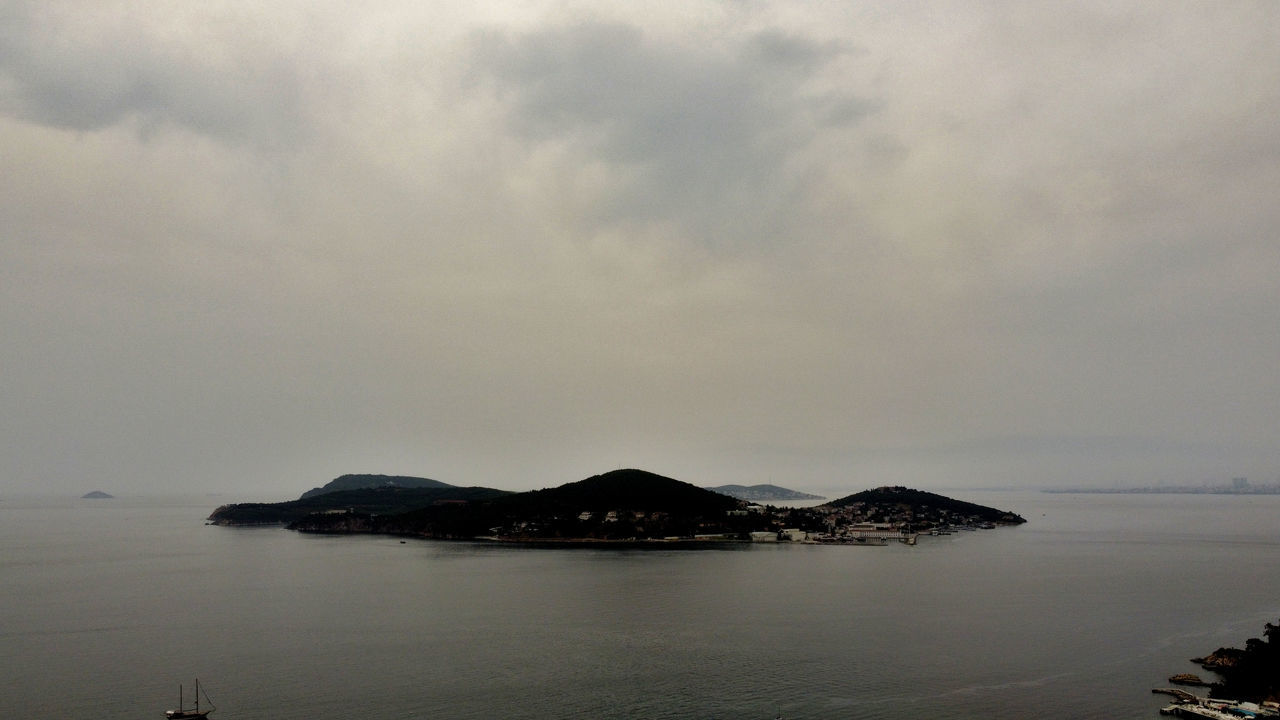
[(108, 607)]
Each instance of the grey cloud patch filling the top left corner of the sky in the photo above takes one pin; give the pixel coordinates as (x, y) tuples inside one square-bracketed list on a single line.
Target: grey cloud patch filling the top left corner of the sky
[(92, 67)]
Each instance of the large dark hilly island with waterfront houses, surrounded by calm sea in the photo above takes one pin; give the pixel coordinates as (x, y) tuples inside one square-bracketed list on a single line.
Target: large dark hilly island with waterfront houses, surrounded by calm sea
[(630, 507)]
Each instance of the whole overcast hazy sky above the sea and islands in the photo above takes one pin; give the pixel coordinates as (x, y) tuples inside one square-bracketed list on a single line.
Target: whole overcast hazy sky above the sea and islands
[(252, 247)]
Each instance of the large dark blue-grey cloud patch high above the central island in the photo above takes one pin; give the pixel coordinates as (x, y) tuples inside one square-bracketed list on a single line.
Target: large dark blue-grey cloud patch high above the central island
[(703, 136)]
